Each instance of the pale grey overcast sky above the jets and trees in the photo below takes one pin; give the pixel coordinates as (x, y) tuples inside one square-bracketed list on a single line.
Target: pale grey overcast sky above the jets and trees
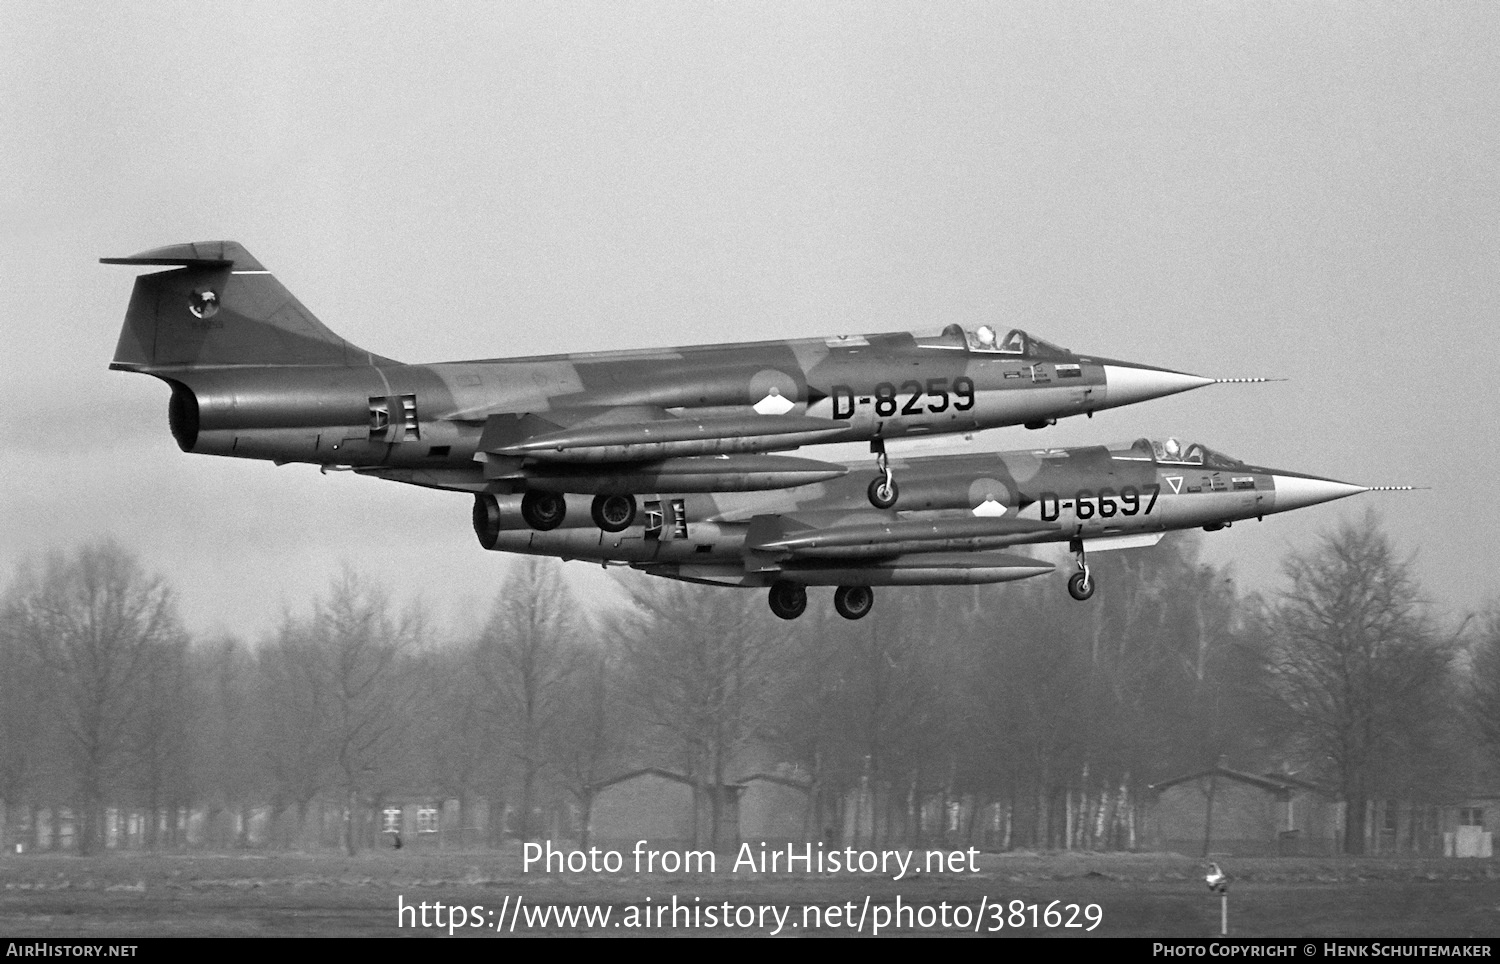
[(1286, 190)]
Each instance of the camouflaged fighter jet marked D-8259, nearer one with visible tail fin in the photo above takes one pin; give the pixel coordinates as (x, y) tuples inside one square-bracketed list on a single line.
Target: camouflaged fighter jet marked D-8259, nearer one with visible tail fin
[(256, 376)]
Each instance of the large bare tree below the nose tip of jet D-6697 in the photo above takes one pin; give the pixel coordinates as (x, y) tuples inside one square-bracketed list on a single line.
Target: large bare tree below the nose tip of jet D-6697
[(1357, 665)]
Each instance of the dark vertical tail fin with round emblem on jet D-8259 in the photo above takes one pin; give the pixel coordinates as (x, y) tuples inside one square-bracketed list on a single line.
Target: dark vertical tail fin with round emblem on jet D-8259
[(221, 308)]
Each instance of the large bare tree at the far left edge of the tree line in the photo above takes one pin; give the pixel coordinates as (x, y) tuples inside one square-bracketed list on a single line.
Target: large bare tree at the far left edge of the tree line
[(97, 624)]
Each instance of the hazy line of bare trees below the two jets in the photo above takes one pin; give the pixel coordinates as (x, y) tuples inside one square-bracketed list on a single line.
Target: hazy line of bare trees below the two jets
[(1012, 701)]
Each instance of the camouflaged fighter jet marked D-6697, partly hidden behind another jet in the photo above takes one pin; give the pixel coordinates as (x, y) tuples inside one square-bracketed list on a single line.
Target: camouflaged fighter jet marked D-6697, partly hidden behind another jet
[(958, 513)]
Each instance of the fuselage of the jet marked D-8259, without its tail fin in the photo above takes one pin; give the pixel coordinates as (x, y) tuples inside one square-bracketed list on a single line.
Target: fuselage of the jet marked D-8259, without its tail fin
[(430, 419)]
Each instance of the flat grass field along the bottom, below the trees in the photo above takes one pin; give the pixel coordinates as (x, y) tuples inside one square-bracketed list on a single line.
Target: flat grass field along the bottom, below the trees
[(1139, 896)]
